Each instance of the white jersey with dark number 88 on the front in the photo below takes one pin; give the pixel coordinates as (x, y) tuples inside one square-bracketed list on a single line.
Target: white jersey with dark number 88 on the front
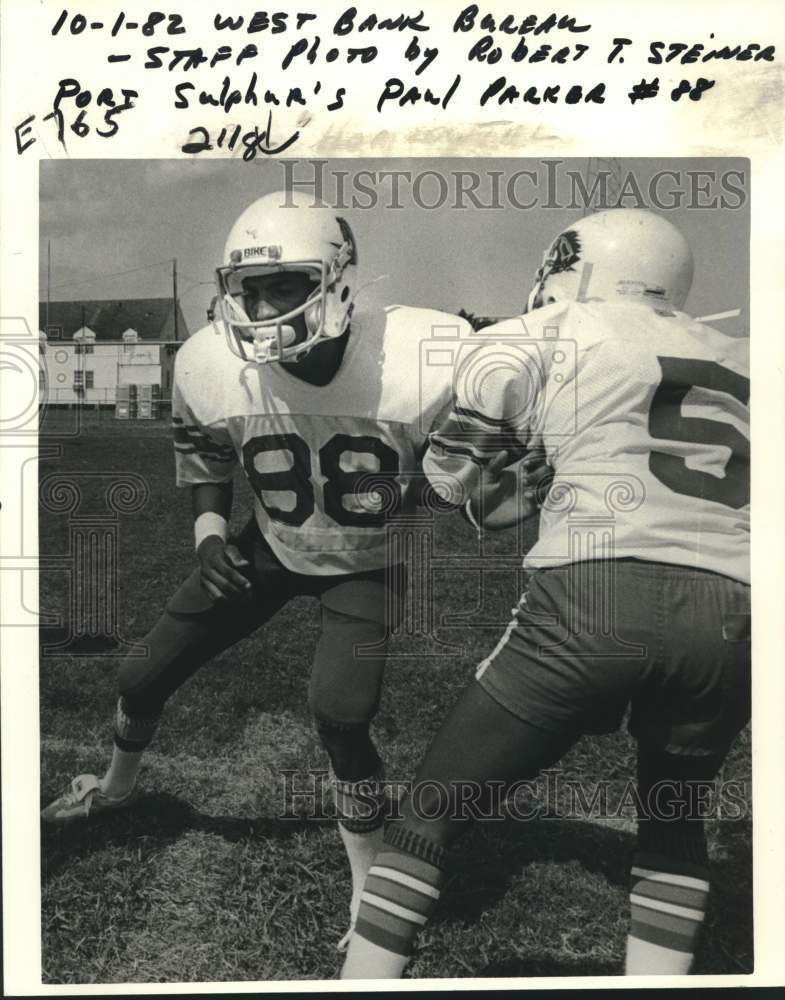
[(327, 464)]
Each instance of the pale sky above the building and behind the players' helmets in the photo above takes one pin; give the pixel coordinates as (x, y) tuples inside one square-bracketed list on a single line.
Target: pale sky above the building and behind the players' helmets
[(114, 226)]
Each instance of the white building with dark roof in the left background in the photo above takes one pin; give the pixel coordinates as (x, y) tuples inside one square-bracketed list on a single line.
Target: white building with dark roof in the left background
[(88, 349)]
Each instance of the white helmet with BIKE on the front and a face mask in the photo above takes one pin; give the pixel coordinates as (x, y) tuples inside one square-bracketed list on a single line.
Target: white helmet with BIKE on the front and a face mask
[(286, 232)]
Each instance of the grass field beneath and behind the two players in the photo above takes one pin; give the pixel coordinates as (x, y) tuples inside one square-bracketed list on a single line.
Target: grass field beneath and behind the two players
[(207, 880)]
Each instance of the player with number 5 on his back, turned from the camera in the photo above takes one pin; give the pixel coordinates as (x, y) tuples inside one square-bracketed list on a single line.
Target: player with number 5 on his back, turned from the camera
[(638, 591)]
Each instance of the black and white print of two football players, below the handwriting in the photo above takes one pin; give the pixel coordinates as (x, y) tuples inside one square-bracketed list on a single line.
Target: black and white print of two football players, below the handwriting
[(309, 433)]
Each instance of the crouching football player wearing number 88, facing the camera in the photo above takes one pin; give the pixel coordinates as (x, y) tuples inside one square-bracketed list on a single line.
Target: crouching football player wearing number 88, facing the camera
[(326, 412)]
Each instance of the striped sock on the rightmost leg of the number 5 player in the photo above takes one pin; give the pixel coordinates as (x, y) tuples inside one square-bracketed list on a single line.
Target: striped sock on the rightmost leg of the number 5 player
[(668, 900)]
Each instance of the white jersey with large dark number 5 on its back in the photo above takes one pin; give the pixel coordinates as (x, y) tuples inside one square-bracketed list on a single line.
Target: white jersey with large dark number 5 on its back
[(644, 417)]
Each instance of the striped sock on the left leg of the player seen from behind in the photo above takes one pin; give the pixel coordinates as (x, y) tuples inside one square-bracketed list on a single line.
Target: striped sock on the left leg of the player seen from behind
[(401, 893)]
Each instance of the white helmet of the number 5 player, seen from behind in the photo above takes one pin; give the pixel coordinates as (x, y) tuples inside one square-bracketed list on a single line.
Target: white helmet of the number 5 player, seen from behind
[(623, 254)]
